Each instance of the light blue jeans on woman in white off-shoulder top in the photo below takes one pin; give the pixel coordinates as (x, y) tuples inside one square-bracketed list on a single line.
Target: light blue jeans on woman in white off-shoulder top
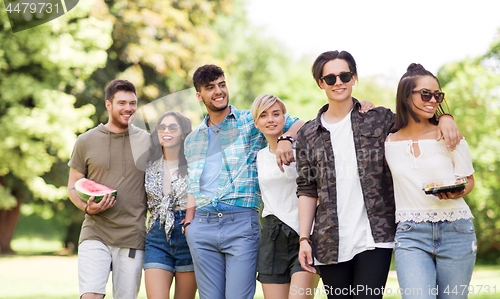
[(435, 259)]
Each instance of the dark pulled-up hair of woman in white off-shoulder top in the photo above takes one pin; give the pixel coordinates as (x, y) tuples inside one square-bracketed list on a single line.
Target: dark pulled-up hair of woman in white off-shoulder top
[(405, 88)]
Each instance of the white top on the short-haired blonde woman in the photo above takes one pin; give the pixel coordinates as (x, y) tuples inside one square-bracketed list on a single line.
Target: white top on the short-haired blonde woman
[(278, 189)]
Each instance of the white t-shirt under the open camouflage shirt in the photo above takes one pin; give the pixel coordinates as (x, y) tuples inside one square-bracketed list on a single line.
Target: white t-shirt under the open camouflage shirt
[(355, 234)]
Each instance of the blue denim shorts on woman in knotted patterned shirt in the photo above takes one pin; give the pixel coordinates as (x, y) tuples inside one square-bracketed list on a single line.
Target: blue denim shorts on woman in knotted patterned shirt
[(173, 254)]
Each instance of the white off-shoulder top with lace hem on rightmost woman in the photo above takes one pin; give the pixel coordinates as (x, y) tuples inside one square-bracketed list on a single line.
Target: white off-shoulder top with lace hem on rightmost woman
[(410, 174)]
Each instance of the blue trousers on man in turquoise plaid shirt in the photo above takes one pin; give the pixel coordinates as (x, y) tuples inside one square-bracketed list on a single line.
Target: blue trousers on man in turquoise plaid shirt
[(224, 247)]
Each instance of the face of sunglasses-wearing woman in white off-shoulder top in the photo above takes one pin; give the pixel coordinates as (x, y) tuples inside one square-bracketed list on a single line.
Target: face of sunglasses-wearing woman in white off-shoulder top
[(424, 110)]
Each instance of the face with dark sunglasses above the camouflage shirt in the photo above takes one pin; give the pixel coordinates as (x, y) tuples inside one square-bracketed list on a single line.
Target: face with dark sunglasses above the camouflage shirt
[(340, 91)]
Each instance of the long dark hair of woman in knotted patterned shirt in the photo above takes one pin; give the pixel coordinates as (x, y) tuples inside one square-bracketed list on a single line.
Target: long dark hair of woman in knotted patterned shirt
[(157, 149)]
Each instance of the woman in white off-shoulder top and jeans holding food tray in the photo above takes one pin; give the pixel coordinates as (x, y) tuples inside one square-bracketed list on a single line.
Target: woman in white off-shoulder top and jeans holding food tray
[(435, 240)]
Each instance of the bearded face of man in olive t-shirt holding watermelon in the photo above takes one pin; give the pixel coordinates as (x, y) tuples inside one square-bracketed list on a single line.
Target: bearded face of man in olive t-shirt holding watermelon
[(122, 109)]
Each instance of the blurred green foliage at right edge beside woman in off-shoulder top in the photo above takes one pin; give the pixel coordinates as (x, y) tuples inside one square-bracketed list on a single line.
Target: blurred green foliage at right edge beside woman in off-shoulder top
[(472, 89)]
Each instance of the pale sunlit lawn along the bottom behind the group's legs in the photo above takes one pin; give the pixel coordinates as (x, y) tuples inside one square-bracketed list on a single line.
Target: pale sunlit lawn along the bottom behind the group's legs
[(56, 277)]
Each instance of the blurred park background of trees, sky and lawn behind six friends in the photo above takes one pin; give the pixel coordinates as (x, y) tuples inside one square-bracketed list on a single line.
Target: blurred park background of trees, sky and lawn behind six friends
[(53, 77)]
